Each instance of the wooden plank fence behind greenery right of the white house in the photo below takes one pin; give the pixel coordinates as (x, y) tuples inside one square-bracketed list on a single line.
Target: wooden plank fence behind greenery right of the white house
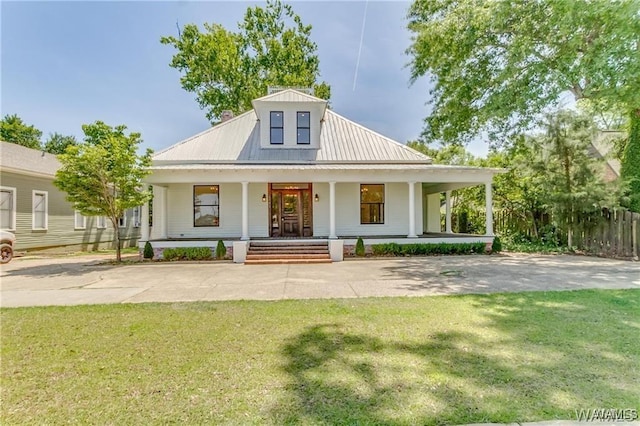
[(614, 233)]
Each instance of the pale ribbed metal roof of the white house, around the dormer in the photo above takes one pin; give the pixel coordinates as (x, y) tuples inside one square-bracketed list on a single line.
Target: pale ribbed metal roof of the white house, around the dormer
[(237, 141)]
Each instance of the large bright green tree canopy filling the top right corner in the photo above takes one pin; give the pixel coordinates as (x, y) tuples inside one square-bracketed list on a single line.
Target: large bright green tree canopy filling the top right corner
[(496, 65)]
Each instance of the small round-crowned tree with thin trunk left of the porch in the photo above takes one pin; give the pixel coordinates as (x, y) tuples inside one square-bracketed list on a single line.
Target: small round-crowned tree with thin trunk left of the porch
[(102, 176)]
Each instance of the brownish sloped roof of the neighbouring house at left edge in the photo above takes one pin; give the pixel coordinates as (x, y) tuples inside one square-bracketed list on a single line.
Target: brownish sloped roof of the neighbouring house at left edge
[(20, 159)]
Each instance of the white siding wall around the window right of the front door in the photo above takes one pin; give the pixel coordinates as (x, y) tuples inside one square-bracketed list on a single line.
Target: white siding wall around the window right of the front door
[(396, 211)]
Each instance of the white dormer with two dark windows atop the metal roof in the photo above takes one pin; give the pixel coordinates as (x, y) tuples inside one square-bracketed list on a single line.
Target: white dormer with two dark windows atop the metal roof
[(290, 119)]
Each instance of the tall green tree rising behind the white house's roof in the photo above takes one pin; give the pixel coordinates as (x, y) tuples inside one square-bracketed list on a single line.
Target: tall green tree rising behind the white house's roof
[(227, 70)]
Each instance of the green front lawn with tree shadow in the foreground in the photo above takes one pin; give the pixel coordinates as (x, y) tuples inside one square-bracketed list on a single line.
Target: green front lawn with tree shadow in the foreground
[(394, 361)]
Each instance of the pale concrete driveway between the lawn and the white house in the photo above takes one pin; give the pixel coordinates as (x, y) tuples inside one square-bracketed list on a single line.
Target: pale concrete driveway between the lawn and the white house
[(88, 280)]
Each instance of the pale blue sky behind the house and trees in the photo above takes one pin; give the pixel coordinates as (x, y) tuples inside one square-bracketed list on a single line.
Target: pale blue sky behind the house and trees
[(64, 64)]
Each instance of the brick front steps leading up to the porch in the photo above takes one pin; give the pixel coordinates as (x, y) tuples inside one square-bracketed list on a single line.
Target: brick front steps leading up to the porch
[(271, 252)]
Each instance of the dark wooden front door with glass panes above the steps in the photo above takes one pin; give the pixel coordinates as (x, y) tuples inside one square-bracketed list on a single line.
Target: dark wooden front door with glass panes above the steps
[(290, 210)]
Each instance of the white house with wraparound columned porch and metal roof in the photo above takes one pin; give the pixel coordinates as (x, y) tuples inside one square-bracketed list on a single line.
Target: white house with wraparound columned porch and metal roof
[(292, 168)]
